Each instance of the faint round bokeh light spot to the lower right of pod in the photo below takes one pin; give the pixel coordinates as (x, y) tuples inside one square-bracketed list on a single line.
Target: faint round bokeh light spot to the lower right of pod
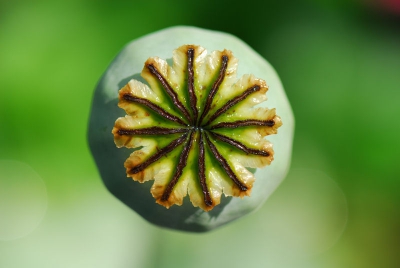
[(307, 215)]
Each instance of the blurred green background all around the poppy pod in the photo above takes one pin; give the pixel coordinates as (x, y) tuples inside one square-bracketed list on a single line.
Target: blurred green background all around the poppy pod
[(339, 62)]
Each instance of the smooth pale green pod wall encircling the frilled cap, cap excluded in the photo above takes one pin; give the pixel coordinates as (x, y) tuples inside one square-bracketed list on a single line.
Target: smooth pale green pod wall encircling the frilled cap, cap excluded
[(127, 65)]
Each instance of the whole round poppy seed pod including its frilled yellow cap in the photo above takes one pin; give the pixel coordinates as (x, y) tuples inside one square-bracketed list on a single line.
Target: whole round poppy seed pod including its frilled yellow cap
[(178, 126)]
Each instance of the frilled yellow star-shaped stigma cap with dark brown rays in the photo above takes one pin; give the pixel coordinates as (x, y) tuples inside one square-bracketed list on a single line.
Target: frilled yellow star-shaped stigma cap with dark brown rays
[(194, 128)]
